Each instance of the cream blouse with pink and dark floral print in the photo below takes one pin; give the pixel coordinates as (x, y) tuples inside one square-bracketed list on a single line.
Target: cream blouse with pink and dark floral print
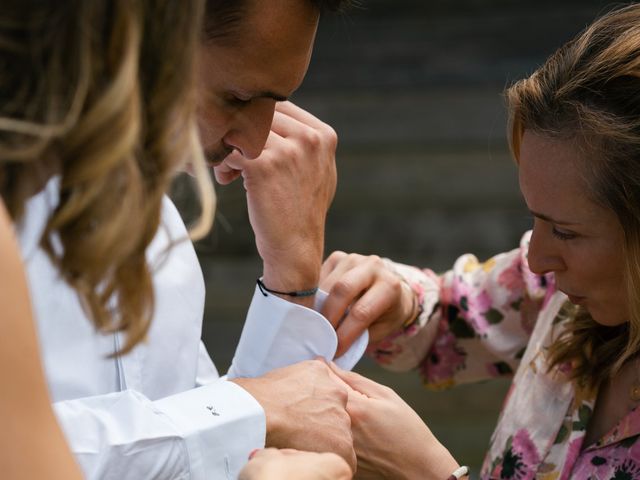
[(492, 319)]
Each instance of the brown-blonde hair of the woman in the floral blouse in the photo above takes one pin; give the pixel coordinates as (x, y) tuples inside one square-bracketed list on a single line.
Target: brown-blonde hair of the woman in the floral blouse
[(589, 92)]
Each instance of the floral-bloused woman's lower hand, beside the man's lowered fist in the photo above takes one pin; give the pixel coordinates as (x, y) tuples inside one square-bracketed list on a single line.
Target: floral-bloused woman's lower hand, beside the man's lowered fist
[(390, 439)]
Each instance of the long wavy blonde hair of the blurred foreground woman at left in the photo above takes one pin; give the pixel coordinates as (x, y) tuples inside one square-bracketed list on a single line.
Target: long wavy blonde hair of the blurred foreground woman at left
[(102, 93)]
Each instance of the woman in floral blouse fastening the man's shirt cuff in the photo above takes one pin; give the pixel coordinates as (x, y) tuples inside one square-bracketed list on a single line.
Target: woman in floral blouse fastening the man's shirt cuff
[(560, 313)]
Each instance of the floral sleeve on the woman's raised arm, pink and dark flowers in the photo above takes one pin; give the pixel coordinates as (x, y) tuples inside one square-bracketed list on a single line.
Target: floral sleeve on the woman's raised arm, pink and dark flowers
[(475, 321)]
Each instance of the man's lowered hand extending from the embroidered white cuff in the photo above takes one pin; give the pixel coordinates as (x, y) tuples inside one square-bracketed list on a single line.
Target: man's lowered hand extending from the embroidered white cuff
[(305, 405)]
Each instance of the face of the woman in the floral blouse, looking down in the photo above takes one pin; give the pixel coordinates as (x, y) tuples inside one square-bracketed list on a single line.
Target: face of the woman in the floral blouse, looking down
[(573, 237)]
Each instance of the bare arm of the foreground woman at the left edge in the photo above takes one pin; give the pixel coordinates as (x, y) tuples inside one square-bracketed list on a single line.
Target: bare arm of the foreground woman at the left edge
[(31, 443)]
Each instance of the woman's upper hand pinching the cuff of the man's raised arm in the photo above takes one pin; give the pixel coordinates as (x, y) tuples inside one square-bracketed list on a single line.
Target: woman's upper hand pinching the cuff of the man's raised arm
[(364, 294)]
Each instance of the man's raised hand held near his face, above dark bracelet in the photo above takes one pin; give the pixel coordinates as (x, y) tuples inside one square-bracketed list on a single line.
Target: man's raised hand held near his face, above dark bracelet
[(289, 189)]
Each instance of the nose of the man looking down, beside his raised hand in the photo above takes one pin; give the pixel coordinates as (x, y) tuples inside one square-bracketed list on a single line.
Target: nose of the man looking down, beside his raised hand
[(251, 127)]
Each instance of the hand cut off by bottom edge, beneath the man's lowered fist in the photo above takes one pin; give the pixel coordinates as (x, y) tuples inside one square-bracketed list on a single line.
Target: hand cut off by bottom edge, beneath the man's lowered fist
[(274, 464)]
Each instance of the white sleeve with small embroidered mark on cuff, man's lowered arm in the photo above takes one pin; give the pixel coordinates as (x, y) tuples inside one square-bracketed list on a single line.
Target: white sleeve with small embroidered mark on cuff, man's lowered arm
[(204, 433)]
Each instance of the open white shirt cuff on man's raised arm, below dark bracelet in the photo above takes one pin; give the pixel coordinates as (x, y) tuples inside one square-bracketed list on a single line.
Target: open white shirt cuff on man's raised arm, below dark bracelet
[(278, 333)]
